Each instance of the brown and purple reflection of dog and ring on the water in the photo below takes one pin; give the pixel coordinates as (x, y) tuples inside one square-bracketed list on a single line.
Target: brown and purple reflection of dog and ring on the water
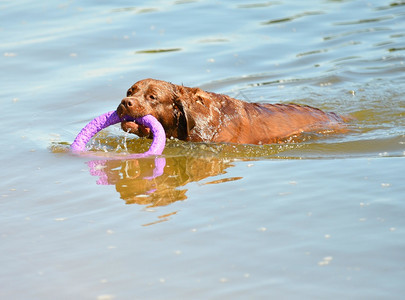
[(156, 181)]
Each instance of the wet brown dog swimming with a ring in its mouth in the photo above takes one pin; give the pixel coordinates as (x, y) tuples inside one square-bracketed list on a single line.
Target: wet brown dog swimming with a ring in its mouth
[(192, 114)]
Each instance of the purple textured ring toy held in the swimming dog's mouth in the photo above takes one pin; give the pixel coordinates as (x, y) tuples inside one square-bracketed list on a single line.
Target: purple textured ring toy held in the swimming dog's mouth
[(110, 118)]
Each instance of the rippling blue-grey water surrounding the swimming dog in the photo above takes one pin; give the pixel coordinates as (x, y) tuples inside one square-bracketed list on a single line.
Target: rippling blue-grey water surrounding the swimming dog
[(318, 219)]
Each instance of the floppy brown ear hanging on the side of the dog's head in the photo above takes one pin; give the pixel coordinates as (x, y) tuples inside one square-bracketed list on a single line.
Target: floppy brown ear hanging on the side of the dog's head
[(185, 118)]
